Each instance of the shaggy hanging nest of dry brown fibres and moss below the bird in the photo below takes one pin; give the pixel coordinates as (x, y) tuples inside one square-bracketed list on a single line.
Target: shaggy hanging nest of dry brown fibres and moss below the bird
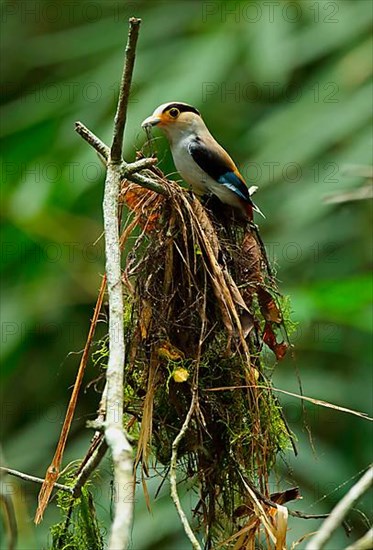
[(201, 303)]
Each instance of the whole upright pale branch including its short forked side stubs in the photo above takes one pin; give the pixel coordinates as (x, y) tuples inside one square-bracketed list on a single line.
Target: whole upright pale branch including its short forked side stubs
[(117, 169)]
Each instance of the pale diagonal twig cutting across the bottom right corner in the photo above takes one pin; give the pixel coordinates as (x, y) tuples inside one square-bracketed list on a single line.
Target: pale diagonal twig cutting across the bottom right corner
[(338, 513)]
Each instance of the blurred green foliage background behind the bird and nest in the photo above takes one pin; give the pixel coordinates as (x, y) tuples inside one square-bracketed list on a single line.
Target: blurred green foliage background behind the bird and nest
[(286, 87)]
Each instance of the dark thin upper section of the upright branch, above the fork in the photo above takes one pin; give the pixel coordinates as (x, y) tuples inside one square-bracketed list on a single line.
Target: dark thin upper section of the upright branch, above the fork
[(124, 93)]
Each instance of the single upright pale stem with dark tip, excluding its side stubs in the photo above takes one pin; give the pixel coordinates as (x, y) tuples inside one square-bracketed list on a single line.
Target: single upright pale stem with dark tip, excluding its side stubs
[(114, 431)]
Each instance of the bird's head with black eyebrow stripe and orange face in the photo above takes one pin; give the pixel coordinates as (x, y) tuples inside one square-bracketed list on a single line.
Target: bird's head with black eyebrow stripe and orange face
[(175, 119)]
